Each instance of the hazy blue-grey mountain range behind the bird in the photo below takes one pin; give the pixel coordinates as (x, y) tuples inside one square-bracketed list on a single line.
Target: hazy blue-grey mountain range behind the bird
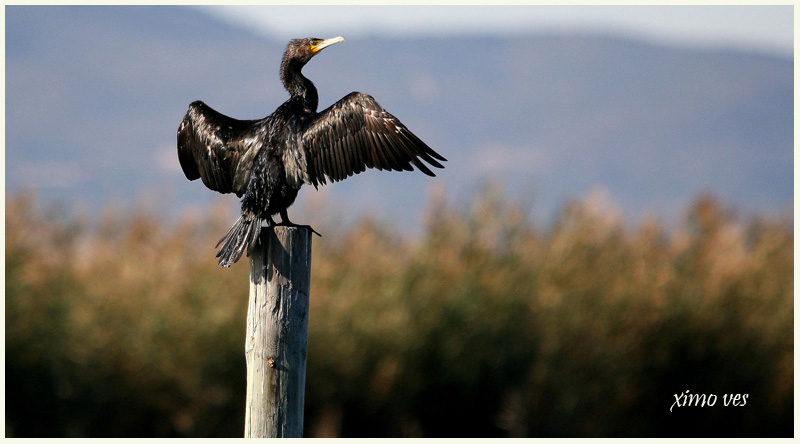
[(94, 96)]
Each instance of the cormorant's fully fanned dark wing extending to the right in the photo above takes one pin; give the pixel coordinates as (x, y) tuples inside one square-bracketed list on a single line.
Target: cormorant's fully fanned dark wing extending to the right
[(354, 134)]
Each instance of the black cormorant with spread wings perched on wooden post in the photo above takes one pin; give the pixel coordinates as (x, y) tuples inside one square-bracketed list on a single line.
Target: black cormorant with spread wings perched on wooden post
[(268, 160)]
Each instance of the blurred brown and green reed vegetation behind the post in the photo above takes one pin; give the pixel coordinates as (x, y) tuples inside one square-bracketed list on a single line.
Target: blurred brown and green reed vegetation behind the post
[(485, 325)]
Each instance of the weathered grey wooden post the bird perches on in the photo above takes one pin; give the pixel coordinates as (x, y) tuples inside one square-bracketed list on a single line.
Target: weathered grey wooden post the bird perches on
[(276, 345)]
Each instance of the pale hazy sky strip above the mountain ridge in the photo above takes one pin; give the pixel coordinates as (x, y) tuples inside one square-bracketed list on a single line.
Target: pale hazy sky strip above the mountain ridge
[(764, 28)]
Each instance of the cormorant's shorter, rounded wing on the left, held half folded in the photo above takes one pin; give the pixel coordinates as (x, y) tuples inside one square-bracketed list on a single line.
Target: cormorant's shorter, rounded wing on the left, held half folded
[(217, 148)]
